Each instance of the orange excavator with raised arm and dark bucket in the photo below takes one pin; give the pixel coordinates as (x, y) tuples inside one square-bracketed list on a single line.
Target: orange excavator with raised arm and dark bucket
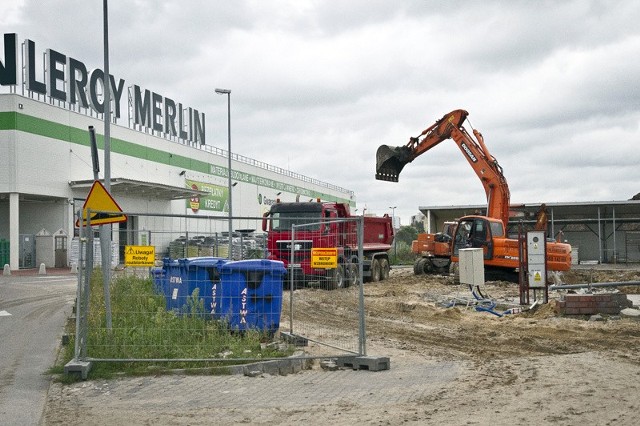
[(501, 253)]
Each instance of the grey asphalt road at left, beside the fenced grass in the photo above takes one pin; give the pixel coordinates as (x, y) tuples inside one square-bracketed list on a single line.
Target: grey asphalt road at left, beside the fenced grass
[(33, 310)]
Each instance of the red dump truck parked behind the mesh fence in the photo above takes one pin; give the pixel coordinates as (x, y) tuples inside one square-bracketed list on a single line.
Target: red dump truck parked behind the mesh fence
[(327, 225)]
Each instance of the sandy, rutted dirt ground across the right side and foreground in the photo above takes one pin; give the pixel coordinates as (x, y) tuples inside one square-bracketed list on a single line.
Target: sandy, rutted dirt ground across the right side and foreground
[(533, 366)]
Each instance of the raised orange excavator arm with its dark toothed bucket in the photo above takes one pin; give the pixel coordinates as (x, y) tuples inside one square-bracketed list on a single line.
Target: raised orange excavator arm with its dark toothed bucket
[(391, 160)]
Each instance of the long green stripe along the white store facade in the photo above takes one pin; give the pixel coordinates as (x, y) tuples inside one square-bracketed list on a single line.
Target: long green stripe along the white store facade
[(11, 120)]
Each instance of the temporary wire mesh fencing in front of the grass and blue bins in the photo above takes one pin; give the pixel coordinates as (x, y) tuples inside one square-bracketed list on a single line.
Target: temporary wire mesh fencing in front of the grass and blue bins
[(198, 304)]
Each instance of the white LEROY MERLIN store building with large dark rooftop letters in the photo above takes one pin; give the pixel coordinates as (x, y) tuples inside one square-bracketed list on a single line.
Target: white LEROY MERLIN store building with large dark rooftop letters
[(159, 160)]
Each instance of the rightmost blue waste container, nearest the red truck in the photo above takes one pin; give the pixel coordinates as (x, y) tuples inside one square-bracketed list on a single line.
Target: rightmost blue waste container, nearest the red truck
[(250, 294)]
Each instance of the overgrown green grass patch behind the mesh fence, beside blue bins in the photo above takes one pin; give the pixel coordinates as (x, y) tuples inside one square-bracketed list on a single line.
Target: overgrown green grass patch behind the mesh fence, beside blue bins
[(142, 329)]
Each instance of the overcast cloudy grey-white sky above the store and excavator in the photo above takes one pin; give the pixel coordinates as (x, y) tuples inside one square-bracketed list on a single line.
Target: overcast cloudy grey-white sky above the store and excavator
[(317, 86)]
